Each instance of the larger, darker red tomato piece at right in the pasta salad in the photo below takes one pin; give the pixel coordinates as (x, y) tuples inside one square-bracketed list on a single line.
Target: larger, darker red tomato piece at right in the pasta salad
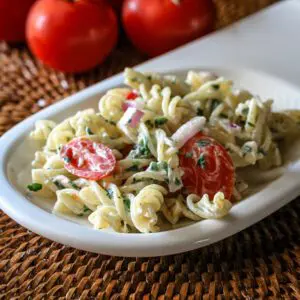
[(207, 166)]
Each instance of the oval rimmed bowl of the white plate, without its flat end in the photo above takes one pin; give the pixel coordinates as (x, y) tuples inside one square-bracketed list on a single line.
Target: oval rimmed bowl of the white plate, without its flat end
[(16, 154)]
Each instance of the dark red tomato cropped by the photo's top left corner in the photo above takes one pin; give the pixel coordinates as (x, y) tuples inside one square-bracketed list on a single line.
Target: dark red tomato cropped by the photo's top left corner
[(13, 15)]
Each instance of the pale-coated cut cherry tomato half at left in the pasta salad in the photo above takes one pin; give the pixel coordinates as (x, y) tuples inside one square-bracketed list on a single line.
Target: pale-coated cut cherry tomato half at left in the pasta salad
[(87, 159)]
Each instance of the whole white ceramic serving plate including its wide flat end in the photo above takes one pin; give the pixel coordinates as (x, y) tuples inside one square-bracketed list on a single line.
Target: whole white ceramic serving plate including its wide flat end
[(283, 184)]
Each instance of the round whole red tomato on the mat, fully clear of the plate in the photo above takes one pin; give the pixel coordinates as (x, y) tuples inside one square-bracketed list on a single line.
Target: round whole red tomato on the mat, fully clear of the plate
[(71, 36)]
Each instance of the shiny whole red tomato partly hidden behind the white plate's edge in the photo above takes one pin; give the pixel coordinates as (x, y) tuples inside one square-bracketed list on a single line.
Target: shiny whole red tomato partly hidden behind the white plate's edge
[(158, 26)]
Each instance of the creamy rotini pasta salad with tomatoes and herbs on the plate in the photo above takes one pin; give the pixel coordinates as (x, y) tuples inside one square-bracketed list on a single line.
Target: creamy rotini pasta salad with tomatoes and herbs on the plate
[(158, 151)]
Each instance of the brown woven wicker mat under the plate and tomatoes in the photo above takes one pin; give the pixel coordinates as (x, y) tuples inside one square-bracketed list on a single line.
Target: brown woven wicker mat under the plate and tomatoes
[(260, 262)]
